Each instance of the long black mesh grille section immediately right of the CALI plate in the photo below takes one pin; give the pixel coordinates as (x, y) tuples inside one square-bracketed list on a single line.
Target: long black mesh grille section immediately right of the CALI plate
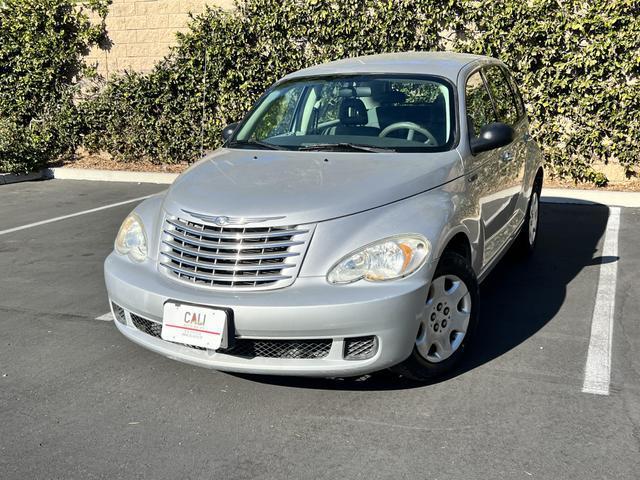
[(281, 348)]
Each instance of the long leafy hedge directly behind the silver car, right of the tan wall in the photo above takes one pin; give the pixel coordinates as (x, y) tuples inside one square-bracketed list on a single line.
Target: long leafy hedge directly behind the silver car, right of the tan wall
[(578, 64)]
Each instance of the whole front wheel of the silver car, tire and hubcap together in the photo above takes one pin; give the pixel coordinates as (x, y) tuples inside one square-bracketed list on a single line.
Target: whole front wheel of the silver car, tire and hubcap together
[(441, 323)]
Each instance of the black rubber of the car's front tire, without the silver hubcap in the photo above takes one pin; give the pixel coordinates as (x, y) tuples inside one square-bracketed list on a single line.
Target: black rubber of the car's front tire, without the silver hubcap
[(417, 367)]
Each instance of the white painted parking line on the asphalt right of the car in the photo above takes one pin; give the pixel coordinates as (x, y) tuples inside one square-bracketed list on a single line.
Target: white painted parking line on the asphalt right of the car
[(597, 372)]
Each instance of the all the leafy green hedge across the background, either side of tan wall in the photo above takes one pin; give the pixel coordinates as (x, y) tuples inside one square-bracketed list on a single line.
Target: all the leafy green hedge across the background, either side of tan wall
[(578, 64)]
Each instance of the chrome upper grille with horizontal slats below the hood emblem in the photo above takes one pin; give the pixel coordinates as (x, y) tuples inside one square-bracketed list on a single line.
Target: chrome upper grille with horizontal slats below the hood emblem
[(232, 257)]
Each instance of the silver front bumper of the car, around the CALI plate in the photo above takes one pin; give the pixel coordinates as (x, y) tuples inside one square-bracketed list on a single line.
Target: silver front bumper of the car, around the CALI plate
[(309, 309)]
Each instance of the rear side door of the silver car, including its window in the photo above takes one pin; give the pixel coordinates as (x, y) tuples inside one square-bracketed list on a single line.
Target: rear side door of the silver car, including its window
[(511, 157)]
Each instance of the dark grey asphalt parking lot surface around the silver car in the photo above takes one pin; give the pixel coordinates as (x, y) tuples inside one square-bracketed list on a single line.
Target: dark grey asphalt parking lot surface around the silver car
[(78, 400)]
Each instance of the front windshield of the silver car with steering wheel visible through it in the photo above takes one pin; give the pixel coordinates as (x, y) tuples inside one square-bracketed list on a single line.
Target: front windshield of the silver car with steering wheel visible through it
[(358, 113)]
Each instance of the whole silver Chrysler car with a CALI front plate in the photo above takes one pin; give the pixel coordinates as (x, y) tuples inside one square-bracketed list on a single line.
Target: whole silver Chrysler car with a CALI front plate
[(343, 227)]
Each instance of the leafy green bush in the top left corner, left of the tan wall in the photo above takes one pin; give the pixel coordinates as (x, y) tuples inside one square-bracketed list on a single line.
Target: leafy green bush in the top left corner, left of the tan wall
[(42, 44)]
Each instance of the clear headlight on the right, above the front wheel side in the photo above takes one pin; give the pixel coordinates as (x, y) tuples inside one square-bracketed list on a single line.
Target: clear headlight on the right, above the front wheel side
[(386, 259)]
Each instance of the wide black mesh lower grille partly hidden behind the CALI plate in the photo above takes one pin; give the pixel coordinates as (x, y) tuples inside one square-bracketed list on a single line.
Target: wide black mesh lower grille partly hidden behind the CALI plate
[(250, 348)]
